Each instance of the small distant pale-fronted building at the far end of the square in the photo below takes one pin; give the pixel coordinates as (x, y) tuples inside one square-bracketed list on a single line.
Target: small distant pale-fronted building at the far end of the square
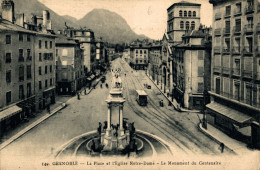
[(139, 55)]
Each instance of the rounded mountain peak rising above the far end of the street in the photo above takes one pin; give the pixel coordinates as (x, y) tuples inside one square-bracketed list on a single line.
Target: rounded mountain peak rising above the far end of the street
[(109, 25)]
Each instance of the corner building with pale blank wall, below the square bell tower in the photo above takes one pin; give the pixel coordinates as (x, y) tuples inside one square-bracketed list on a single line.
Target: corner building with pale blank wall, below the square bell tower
[(191, 69)]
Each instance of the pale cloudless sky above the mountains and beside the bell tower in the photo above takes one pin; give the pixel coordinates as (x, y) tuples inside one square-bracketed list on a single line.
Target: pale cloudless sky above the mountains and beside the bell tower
[(148, 17)]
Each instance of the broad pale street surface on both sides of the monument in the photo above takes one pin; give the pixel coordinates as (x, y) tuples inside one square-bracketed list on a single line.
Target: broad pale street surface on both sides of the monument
[(180, 129)]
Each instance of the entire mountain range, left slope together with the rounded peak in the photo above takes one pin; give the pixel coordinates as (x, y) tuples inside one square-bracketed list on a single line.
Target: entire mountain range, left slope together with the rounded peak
[(106, 24)]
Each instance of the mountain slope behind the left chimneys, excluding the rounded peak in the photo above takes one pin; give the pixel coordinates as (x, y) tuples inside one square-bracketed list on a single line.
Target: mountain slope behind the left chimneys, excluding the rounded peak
[(33, 6)]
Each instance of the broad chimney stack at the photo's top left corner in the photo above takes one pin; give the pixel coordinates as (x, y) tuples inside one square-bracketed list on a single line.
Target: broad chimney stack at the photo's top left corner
[(8, 10)]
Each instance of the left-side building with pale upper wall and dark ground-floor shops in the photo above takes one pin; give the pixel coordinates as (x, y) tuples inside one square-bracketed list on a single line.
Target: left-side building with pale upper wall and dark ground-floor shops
[(69, 66)]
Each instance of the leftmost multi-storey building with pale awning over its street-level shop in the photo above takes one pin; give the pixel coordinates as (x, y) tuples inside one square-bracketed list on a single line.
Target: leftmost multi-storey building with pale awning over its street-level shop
[(17, 94)]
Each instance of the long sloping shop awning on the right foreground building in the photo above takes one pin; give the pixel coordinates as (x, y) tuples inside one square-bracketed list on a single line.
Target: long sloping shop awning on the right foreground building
[(233, 114)]
